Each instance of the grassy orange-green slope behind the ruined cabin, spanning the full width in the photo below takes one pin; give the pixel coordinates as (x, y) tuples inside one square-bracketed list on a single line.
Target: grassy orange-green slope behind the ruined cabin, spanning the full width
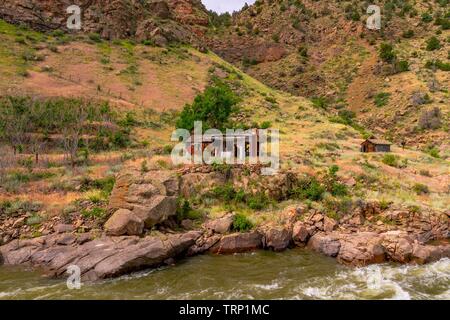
[(146, 87)]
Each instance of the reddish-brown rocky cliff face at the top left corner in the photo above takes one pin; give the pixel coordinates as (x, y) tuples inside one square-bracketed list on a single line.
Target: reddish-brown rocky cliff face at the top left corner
[(157, 20)]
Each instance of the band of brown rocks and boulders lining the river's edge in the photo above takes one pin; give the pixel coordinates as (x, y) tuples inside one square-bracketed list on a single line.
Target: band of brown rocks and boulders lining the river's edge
[(142, 233)]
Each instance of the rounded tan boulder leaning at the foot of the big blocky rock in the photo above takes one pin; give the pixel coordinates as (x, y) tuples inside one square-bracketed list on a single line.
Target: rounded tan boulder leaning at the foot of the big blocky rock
[(124, 222)]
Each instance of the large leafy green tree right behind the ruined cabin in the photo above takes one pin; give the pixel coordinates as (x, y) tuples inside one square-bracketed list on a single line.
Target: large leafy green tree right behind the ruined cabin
[(213, 107)]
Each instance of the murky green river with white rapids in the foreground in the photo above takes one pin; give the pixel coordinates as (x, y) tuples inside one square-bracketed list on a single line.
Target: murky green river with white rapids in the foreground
[(294, 274)]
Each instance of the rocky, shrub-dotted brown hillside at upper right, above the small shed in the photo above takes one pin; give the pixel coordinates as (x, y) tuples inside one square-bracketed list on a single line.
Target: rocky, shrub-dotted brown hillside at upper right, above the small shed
[(322, 50)]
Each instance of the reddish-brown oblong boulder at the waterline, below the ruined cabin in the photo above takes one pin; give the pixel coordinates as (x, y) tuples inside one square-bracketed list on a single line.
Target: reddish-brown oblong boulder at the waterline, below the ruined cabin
[(238, 242)]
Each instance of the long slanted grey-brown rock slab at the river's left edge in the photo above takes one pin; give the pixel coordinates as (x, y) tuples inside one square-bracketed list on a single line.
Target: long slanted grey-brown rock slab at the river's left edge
[(101, 258)]
